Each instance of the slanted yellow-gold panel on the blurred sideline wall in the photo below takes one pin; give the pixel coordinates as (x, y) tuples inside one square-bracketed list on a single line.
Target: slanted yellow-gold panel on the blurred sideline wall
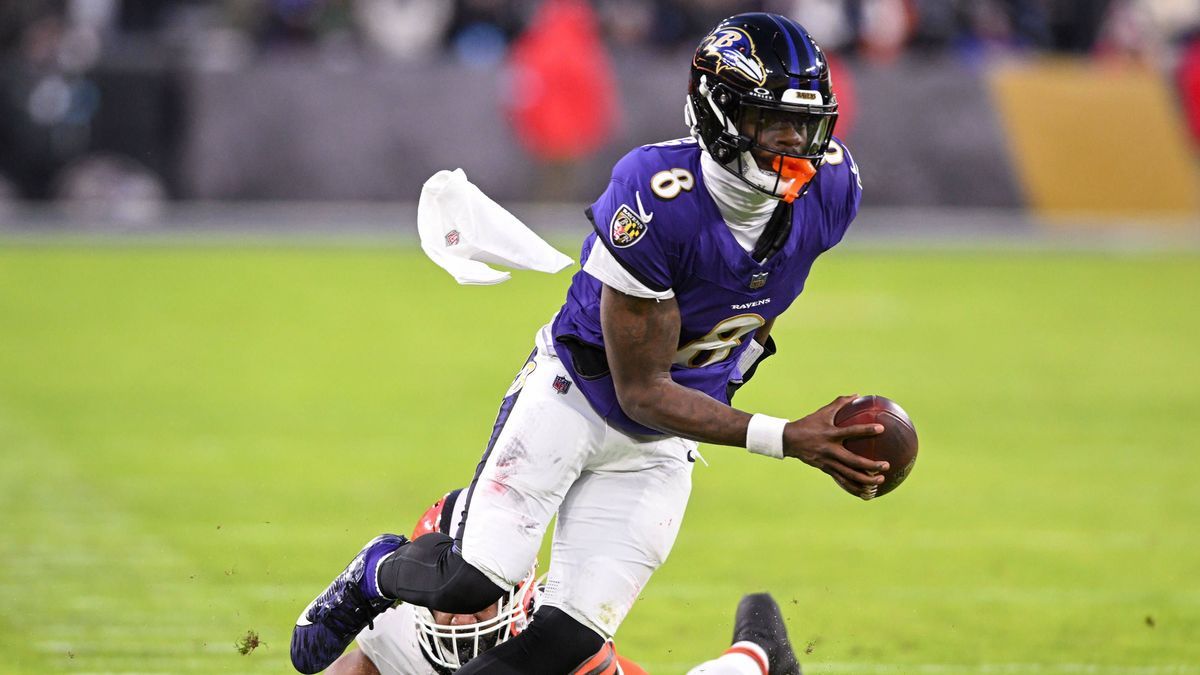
[(1099, 141)]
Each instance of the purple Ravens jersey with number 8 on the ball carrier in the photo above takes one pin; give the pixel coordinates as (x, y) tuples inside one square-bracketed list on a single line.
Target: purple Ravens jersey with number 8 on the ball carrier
[(663, 226)]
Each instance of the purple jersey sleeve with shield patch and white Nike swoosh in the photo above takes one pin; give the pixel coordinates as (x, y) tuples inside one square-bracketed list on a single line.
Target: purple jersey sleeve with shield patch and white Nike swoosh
[(635, 238)]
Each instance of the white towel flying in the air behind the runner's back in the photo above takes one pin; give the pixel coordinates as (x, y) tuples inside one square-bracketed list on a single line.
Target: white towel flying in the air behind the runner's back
[(463, 230)]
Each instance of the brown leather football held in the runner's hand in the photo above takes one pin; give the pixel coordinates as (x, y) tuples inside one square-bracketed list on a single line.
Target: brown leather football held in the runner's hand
[(897, 445)]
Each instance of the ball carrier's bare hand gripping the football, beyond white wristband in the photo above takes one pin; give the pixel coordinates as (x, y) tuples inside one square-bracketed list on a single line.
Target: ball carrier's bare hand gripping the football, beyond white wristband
[(817, 441)]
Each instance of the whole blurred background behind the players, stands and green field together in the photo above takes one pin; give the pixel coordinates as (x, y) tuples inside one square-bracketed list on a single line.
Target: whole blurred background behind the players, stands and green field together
[(225, 365)]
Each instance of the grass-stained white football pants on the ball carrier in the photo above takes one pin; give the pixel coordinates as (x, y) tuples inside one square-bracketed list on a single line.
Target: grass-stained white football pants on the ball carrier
[(620, 499)]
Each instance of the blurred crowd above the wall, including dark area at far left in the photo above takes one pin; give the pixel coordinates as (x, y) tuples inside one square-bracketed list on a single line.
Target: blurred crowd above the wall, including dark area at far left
[(57, 140)]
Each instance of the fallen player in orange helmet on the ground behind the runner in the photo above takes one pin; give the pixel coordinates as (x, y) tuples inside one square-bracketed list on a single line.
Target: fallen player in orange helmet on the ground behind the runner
[(413, 641)]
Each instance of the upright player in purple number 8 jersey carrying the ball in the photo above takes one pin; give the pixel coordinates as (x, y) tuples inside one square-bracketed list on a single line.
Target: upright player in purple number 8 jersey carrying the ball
[(700, 244)]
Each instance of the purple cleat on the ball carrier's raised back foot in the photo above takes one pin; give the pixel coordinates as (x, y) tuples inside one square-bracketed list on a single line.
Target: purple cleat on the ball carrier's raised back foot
[(350, 605)]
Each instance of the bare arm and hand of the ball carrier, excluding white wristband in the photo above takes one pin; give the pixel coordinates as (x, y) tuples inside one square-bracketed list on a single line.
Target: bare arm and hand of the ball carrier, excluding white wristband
[(641, 337)]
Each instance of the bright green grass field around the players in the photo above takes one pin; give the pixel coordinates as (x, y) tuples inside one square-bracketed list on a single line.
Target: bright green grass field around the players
[(195, 440)]
